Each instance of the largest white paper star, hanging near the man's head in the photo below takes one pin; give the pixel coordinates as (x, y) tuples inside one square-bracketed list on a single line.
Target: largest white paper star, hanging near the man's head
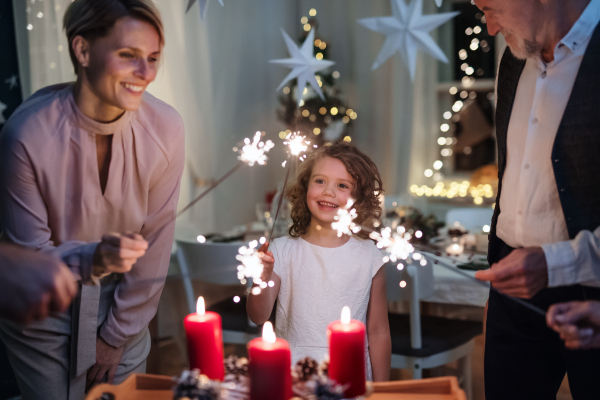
[(406, 31)]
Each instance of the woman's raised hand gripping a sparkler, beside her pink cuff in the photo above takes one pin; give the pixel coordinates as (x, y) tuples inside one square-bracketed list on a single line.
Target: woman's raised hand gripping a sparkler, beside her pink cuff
[(118, 253)]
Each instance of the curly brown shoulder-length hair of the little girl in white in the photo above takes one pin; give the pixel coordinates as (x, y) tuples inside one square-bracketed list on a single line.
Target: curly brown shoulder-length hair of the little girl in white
[(365, 194)]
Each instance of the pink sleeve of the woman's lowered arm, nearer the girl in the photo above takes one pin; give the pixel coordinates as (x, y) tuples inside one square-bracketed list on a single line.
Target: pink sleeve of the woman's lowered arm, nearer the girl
[(137, 295)]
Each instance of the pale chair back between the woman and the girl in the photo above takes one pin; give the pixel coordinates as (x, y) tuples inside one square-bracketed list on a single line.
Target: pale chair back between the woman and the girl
[(210, 262)]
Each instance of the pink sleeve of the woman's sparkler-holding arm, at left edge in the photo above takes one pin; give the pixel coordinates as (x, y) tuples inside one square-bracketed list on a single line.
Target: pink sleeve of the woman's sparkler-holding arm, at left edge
[(23, 213)]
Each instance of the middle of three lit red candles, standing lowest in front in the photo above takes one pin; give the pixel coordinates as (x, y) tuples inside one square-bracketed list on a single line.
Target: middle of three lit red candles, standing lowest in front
[(270, 367)]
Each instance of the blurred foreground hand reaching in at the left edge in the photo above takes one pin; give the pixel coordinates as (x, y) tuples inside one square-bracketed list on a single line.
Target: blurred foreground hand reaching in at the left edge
[(33, 284)]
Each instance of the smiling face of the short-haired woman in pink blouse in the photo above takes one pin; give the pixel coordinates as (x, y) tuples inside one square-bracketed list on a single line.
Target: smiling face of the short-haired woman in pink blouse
[(123, 63)]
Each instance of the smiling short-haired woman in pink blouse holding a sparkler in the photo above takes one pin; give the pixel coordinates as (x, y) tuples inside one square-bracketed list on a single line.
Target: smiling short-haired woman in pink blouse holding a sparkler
[(78, 161)]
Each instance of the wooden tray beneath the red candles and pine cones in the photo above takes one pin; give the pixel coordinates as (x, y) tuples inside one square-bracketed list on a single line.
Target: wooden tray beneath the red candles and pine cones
[(158, 387)]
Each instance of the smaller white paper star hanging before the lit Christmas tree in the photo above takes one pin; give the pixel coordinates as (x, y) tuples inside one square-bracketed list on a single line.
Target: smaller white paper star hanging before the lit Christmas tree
[(303, 63)]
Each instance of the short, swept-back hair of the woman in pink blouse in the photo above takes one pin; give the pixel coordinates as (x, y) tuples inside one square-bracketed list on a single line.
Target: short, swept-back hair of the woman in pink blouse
[(94, 19)]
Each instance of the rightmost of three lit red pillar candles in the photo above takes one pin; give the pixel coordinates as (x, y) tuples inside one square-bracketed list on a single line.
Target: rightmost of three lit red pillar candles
[(347, 354)]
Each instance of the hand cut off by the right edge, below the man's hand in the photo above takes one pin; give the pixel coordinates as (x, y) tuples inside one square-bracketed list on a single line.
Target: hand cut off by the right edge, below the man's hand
[(577, 322)]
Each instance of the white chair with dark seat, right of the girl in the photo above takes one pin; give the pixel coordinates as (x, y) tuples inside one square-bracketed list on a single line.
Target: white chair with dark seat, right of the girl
[(421, 341)]
